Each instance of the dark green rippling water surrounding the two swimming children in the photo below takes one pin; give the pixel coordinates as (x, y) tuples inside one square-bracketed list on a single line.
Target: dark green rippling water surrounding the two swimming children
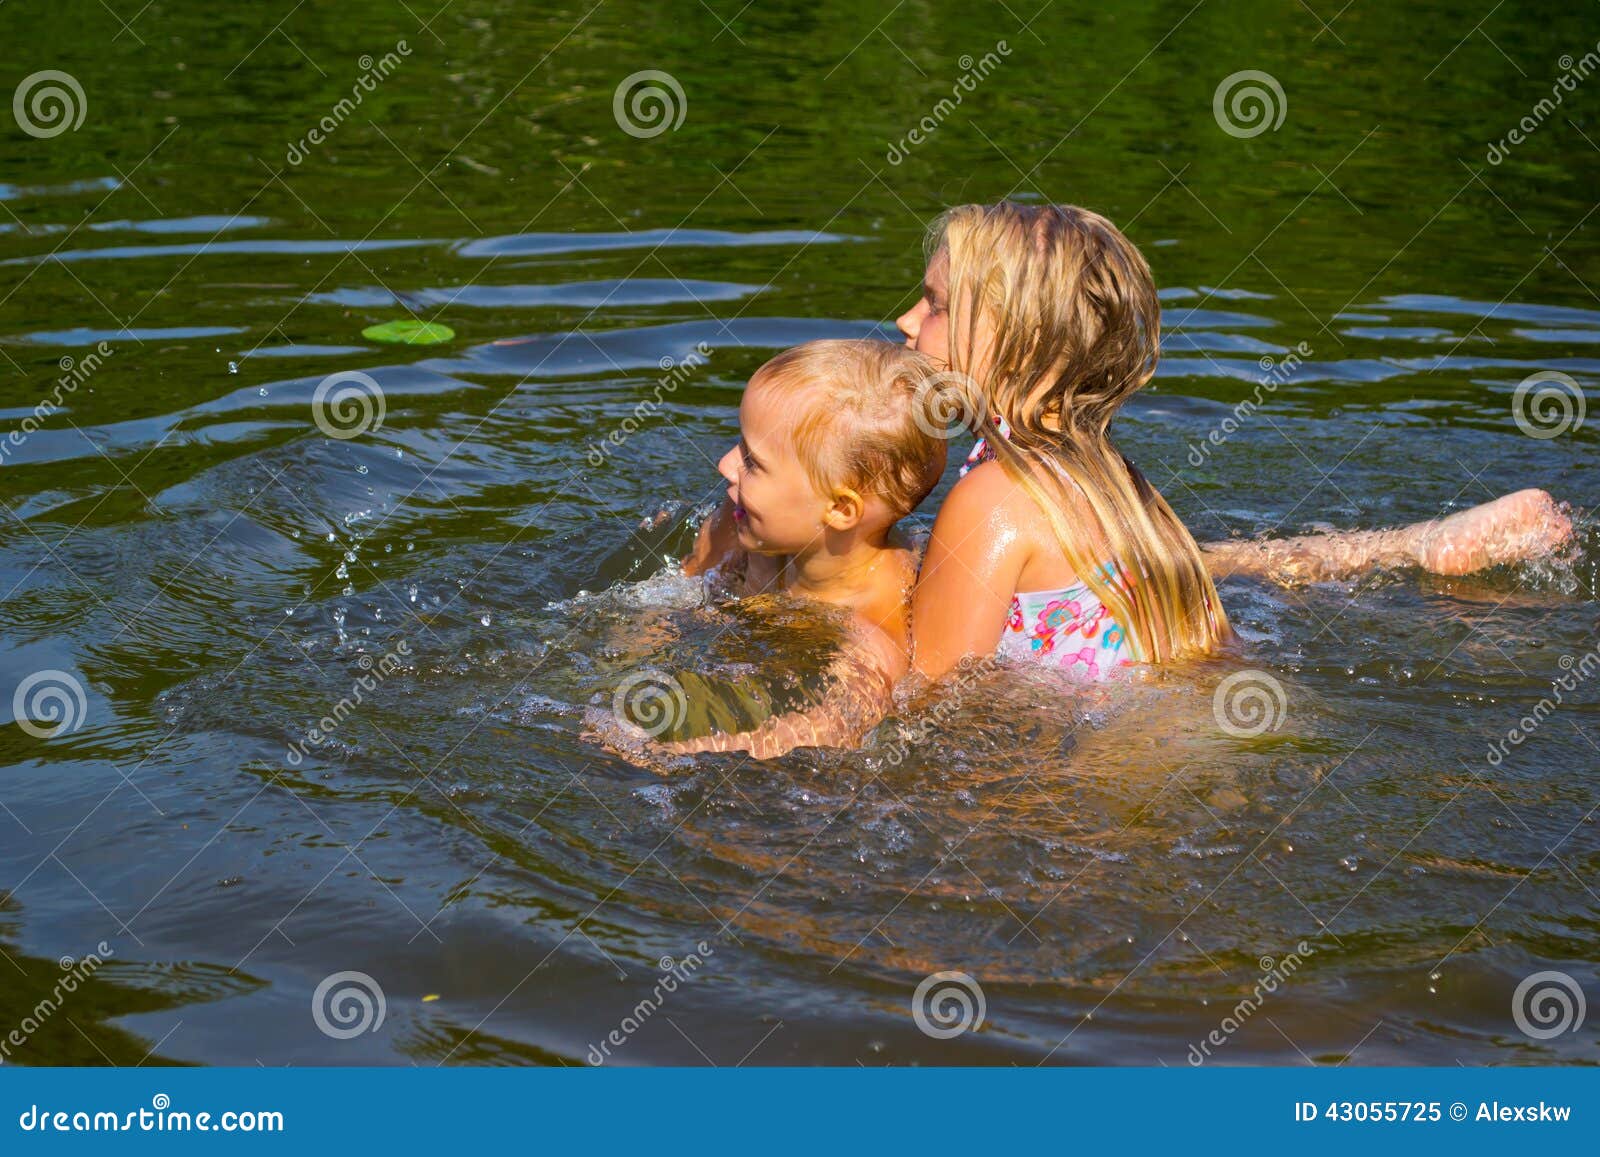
[(217, 574)]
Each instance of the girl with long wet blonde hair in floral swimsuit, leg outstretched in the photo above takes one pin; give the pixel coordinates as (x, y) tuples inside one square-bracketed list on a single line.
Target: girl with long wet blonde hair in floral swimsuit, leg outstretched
[(1054, 546)]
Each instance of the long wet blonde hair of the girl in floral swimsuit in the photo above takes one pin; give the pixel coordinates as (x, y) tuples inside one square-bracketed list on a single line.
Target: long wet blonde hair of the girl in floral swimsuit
[(1060, 313)]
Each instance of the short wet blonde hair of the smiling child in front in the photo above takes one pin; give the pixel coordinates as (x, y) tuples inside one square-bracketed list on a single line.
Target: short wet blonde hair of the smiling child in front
[(862, 417)]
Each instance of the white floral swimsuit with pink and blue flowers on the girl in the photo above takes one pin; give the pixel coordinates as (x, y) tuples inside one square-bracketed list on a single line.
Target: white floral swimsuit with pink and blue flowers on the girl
[(1070, 630)]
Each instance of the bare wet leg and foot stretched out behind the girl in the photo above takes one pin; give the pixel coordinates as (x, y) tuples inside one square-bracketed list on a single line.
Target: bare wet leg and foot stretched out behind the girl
[(1511, 529)]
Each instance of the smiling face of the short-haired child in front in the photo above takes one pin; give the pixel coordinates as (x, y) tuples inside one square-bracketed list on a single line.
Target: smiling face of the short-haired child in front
[(777, 508)]
